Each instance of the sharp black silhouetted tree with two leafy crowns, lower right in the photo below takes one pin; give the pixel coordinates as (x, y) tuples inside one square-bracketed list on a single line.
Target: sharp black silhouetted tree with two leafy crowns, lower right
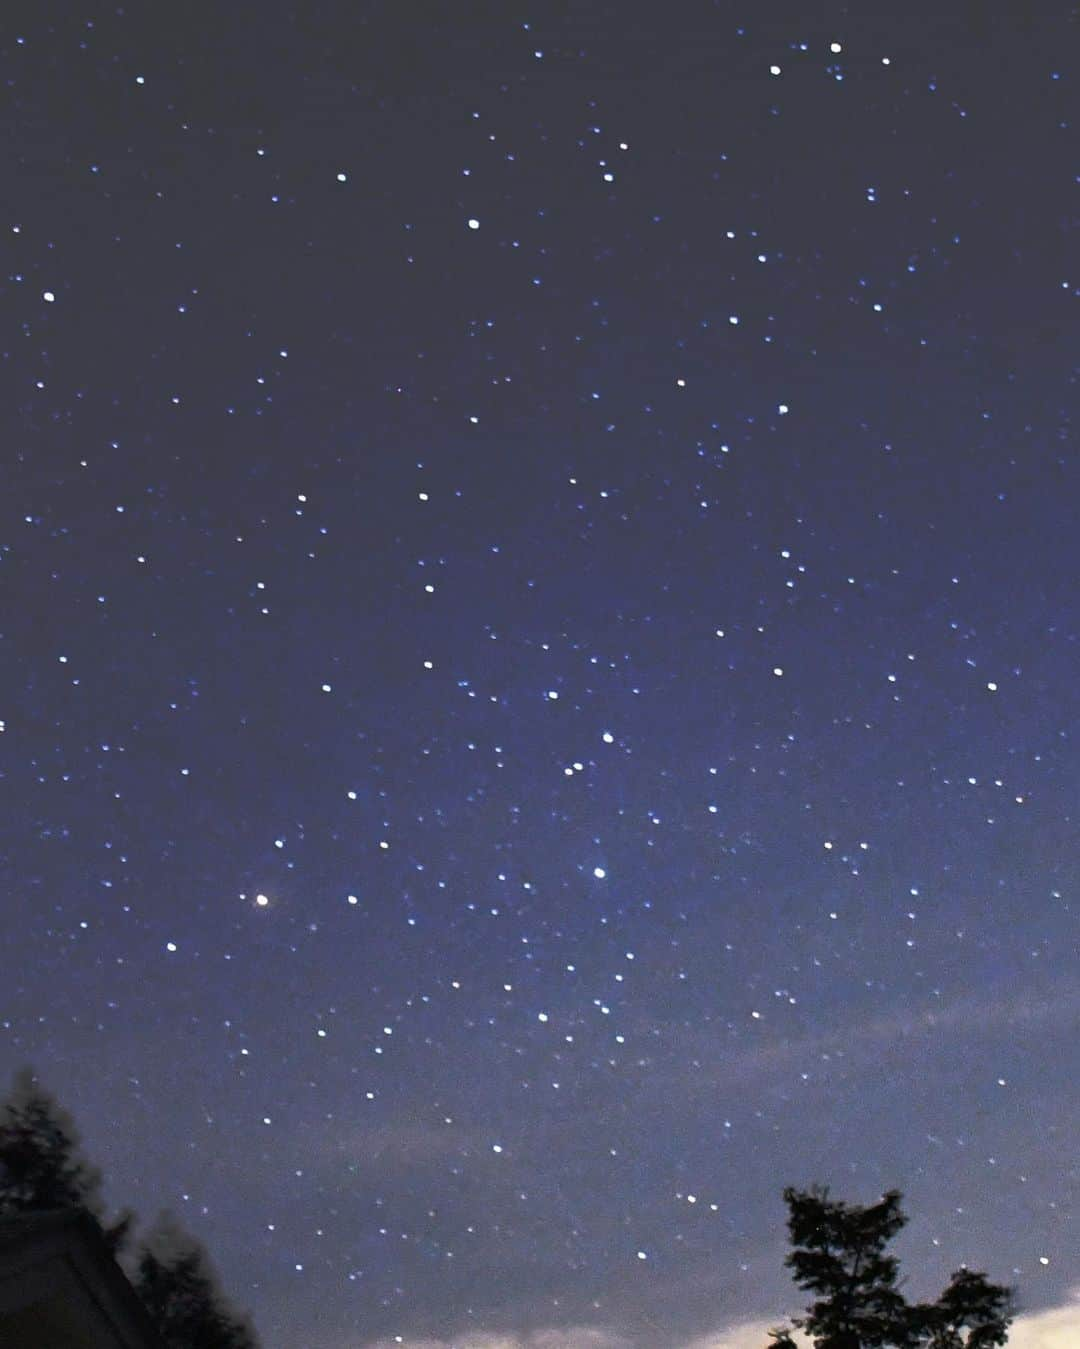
[(839, 1255)]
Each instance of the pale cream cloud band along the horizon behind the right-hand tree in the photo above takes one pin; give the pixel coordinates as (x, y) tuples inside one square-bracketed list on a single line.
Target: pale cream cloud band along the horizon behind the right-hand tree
[(1054, 1328)]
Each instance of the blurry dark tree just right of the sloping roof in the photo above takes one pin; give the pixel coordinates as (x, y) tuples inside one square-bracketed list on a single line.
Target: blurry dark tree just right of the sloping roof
[(181, 1293)]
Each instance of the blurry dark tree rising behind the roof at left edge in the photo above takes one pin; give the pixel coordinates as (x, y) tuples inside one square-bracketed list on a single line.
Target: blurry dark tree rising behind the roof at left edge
[(41, 1165)]
